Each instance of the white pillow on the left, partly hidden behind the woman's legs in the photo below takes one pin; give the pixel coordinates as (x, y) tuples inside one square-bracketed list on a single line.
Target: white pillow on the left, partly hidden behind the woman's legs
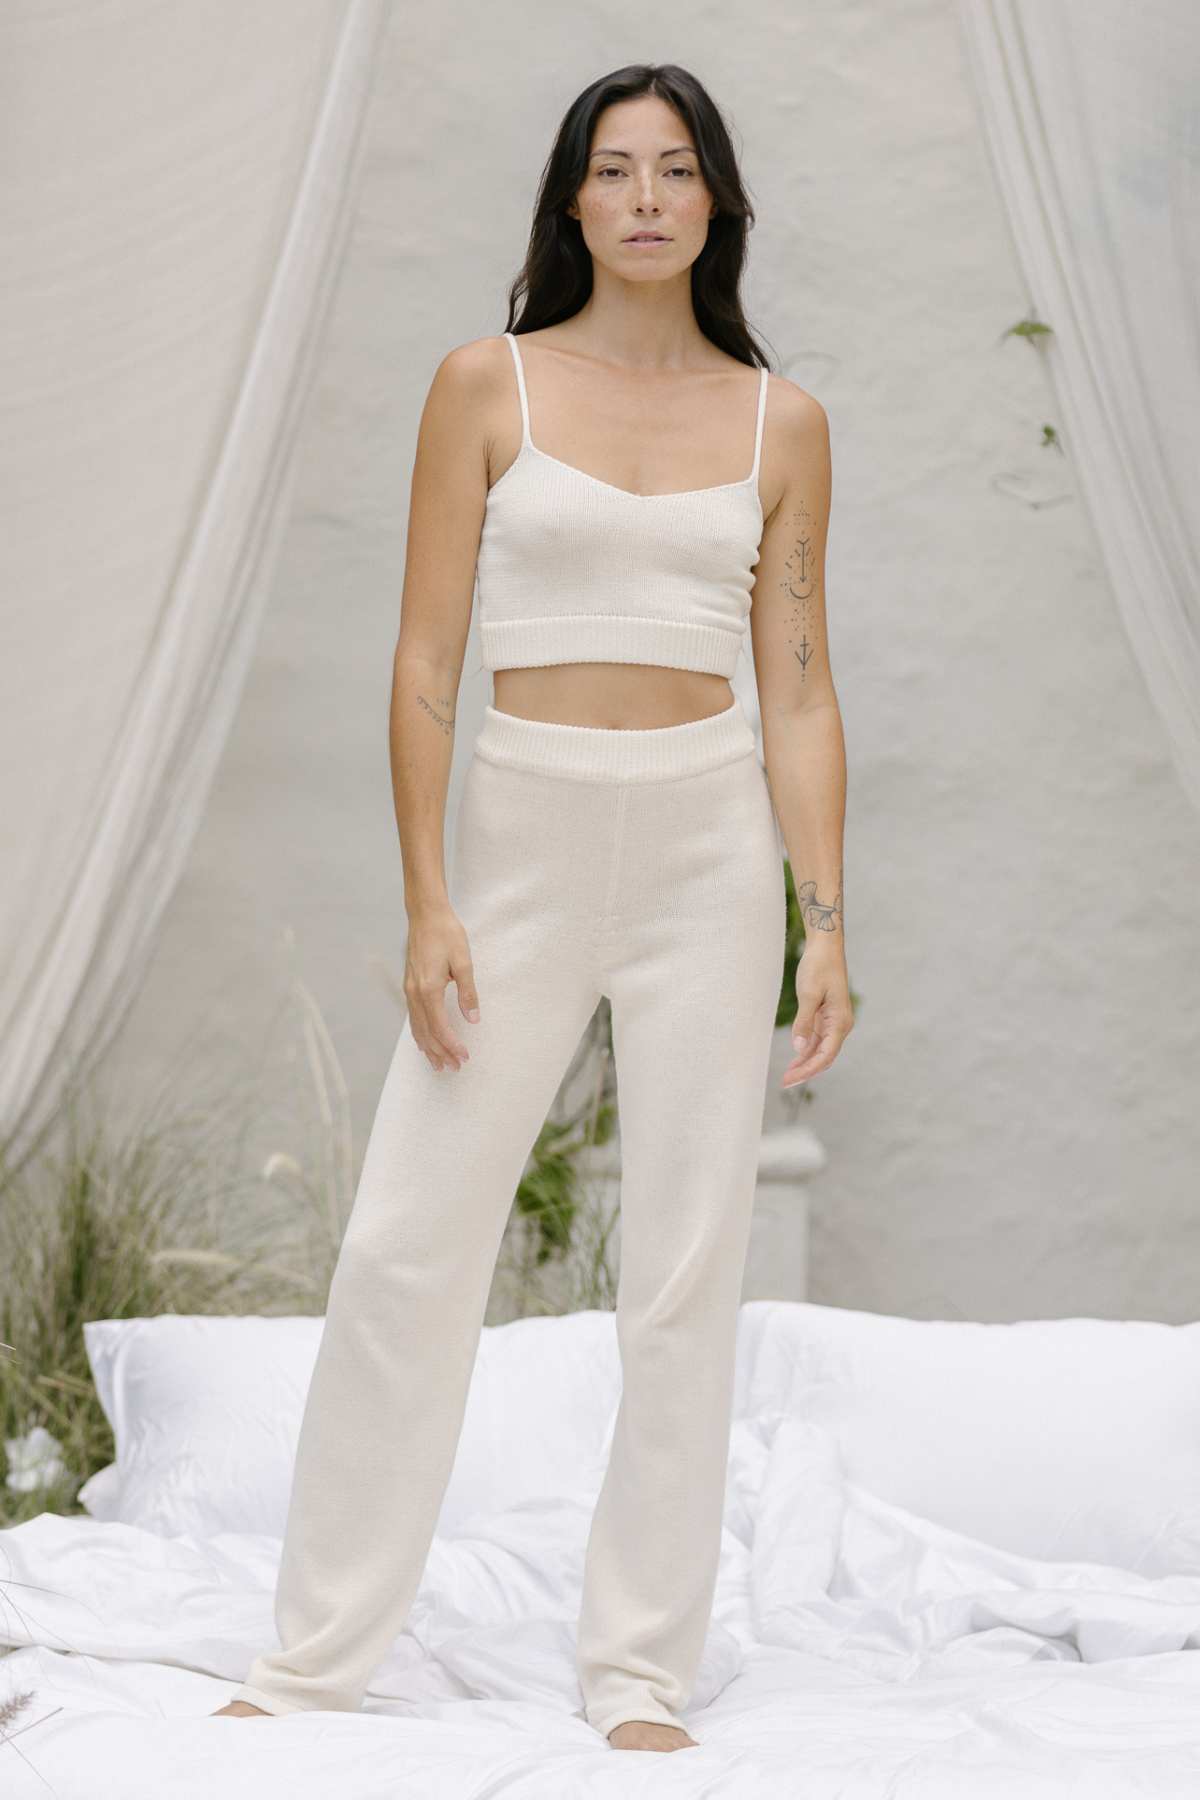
[(206, 1414)]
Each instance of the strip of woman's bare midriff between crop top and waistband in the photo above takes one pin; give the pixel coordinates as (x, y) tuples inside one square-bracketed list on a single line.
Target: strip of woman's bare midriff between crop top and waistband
[(616, 696)]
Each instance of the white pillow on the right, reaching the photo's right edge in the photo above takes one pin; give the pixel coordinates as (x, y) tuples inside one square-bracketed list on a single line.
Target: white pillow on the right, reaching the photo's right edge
[(1070, 1439)]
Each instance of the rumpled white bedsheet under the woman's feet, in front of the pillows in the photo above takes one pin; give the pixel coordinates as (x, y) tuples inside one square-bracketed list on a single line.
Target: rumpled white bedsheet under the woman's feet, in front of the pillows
[(857, 1651)]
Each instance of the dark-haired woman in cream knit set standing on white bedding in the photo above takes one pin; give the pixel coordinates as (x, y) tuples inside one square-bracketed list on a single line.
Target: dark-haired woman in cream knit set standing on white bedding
[(623, 481)]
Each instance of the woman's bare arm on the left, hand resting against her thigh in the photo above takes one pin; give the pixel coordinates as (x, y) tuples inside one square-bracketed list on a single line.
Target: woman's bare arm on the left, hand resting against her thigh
[(445, 517)]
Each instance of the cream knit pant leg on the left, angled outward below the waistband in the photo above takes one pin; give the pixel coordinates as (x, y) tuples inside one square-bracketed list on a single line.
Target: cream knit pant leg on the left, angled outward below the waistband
[(411, 1286)]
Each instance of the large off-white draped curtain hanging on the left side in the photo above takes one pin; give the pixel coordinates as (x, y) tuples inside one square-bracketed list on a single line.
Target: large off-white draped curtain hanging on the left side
[(175, 202)]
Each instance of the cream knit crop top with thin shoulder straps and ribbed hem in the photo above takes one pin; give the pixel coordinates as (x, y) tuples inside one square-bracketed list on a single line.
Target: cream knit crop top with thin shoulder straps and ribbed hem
[(573, 570)]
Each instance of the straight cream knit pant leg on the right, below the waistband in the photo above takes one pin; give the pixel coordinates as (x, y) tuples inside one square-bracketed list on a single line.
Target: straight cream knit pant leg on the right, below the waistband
[(697, 949)]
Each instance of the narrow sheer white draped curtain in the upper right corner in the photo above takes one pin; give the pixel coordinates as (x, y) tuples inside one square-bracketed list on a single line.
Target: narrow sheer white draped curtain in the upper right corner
[(1091, 111)]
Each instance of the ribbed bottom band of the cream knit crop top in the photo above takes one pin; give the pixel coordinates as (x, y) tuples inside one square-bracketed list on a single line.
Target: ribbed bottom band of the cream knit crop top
[(609, 638)]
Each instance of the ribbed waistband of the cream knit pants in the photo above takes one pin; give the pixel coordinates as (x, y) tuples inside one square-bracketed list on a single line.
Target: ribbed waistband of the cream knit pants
[(602, 753)]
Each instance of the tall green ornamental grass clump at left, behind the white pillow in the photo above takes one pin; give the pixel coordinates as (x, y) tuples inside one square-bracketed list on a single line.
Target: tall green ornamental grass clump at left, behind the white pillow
[(172, 1212)]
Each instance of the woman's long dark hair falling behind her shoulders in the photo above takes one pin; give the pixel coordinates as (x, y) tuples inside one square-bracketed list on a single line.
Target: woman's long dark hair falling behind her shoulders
[(557, 278)]
